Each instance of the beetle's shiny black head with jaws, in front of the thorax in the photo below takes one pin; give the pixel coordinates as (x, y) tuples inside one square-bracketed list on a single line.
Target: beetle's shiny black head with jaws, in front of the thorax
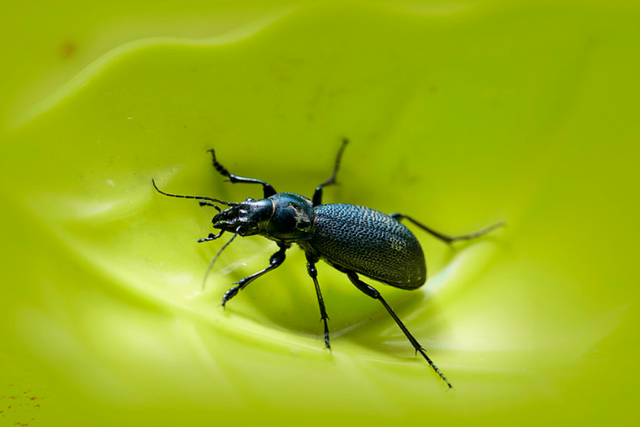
[(251, 216)]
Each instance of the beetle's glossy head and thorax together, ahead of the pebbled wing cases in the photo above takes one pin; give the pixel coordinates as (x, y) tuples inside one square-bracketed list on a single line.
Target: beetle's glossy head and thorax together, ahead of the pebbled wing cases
[(281, 217)]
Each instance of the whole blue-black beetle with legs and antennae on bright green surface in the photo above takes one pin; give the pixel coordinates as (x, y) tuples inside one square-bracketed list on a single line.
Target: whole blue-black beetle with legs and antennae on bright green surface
[(353, 239)]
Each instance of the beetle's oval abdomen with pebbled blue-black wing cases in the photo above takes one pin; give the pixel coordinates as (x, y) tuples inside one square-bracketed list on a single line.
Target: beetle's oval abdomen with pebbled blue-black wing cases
[(370, 243)]
